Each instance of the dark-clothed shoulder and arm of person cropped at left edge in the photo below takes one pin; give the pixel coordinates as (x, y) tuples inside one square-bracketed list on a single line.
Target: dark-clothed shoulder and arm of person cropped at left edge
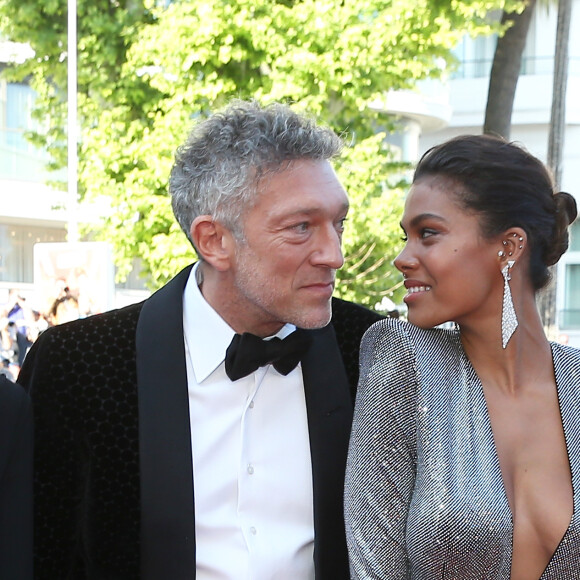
[(15, 482)]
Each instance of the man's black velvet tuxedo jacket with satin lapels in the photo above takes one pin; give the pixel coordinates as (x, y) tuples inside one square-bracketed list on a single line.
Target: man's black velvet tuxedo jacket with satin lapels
[(113, 469)]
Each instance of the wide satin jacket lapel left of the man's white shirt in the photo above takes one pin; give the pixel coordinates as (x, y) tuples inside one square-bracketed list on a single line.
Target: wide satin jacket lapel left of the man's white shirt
[(167, 515)]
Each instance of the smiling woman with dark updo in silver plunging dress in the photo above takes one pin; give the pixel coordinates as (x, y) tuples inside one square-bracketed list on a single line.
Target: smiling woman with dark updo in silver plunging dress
[(465, 451)]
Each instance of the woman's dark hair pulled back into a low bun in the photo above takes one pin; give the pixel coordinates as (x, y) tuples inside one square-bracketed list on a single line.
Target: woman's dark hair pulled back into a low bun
[(507, 187)]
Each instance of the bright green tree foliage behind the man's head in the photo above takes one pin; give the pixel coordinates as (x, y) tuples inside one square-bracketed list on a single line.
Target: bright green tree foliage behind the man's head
[(146, 71)]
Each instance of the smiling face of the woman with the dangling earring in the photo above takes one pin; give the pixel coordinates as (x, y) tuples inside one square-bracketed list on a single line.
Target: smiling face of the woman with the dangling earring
[(451, 272)]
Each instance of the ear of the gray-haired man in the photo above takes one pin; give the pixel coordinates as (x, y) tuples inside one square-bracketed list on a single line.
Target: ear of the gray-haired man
[(213, 241)]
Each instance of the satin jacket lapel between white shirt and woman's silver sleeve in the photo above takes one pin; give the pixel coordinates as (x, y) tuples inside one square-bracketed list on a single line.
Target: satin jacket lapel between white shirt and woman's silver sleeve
[(329, 409)]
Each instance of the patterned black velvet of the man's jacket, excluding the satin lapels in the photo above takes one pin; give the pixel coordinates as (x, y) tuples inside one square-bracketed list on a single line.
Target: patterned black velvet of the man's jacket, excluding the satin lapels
[(82, 379)]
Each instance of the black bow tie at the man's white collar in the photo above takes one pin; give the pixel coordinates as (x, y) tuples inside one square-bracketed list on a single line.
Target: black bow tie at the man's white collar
[(248, 352)]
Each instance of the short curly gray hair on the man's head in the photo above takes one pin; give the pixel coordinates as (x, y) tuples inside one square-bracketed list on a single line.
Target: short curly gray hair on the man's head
[(217, 171)]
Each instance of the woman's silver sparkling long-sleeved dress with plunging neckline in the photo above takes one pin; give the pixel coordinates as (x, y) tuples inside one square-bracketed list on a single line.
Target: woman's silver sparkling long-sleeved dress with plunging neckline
[(424, 496)]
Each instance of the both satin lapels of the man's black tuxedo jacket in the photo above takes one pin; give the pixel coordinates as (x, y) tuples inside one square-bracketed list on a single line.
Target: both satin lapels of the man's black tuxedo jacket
[(167, 506)]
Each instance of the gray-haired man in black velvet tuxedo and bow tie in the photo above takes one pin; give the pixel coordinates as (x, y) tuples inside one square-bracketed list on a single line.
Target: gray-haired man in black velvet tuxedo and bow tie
[(172, 440)]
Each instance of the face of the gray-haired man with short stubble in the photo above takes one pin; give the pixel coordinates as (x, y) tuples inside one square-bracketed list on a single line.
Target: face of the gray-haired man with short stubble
[(284, 271)]
